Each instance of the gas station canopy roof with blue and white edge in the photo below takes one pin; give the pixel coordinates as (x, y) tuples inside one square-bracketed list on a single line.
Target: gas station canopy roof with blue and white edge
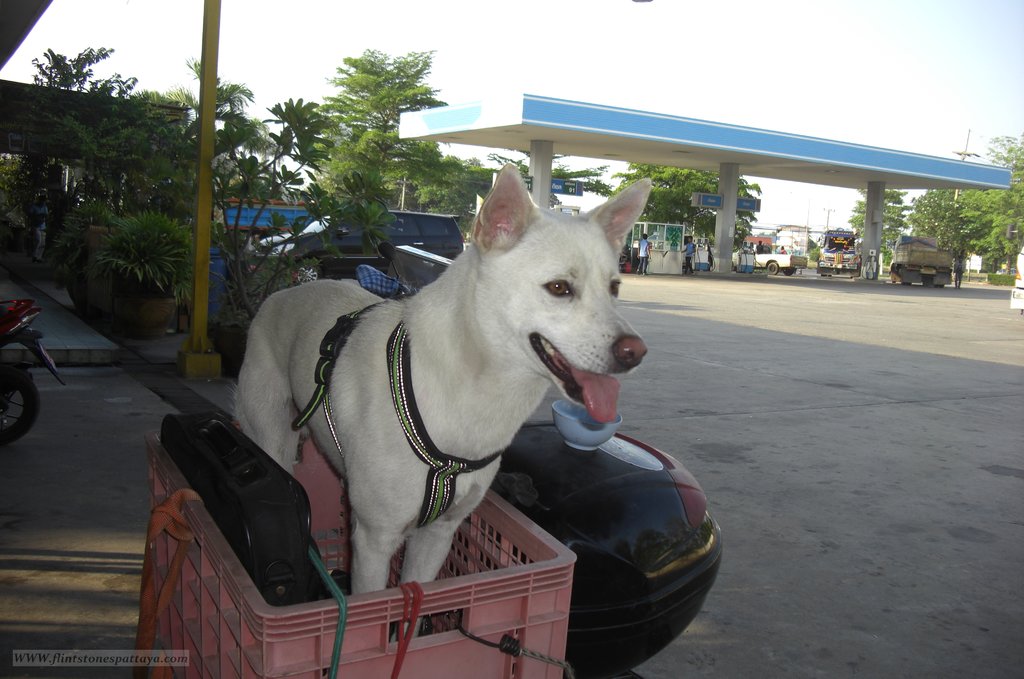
[(621, 135)]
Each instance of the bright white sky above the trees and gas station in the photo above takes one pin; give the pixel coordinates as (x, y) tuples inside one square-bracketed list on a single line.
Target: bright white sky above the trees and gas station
[(910, 75)]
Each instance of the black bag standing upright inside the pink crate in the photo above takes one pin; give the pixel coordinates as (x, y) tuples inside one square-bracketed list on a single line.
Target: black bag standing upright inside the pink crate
[(262, 511)]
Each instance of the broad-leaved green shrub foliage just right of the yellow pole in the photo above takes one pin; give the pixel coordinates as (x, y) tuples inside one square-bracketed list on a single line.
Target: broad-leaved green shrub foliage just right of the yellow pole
[(262, 162)]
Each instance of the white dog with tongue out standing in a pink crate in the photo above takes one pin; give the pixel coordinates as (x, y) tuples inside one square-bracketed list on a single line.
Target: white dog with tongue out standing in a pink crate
[(429, 391)]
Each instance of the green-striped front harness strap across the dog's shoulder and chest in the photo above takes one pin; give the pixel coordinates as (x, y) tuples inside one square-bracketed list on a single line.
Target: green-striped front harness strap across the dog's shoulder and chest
[(443, 470)]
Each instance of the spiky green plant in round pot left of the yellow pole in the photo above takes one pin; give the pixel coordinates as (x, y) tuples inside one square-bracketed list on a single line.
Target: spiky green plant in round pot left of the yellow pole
[(148, 258)]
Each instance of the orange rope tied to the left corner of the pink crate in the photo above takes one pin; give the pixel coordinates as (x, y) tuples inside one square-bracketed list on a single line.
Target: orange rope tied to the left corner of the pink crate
[(165, 517)]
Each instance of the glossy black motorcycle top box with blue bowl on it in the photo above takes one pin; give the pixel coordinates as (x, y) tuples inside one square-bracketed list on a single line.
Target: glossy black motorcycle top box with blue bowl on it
[(648, 551)]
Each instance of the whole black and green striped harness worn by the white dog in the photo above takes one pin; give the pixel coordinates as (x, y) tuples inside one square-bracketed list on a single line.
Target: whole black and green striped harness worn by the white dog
[(443, 471)]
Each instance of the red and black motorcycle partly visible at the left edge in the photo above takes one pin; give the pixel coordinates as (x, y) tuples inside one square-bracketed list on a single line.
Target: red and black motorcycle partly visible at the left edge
[(19, 396)]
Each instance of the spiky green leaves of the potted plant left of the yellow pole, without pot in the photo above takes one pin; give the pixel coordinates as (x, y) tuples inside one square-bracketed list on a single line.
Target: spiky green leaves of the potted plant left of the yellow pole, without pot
[(148, 252)]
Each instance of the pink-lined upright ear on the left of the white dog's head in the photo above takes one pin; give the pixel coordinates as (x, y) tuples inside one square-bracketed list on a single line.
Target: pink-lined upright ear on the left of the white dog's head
[(505, 214)]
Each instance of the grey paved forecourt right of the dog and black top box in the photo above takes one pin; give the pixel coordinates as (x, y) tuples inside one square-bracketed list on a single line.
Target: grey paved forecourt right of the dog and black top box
[(863, 447)]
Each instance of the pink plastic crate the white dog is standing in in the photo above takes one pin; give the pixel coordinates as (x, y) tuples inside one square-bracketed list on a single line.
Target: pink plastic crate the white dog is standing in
[(503, 576)]
